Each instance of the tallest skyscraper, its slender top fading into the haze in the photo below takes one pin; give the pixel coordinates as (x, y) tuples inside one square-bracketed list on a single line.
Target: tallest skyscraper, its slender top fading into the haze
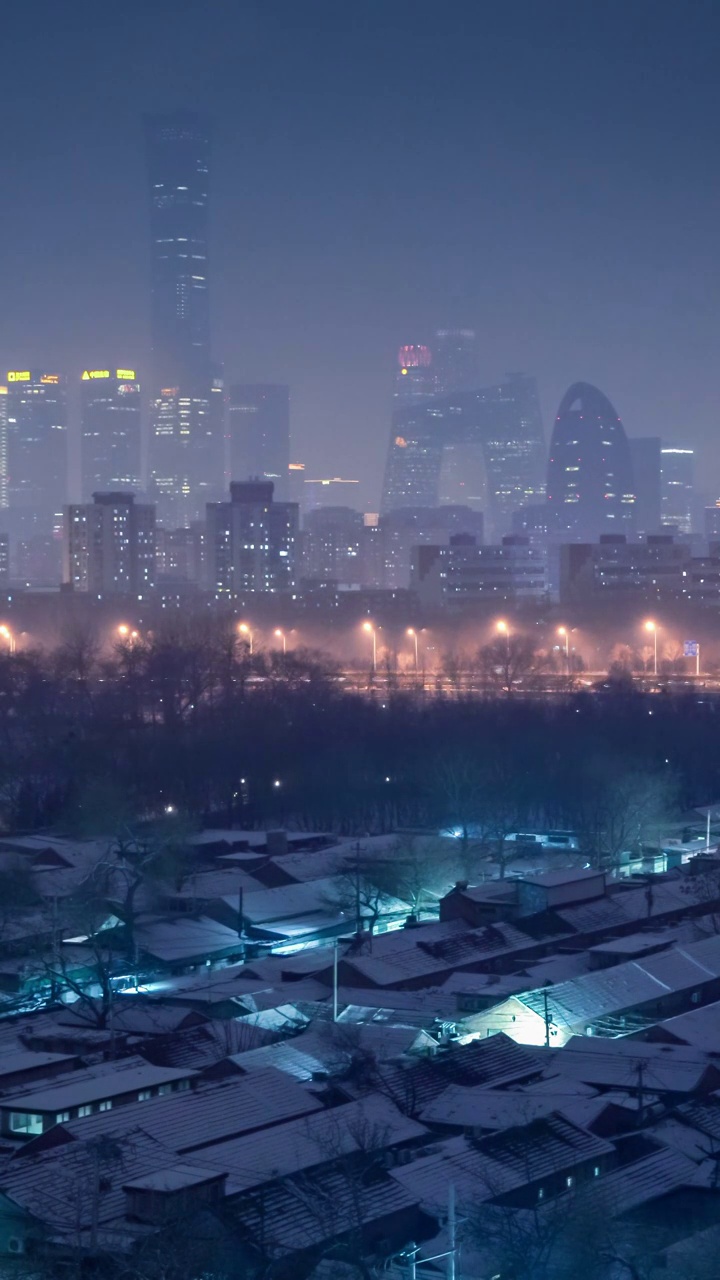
[(186, 442)]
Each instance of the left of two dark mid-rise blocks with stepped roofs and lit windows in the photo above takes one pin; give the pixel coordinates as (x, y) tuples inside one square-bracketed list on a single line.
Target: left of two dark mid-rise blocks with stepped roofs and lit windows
[(110, 546)]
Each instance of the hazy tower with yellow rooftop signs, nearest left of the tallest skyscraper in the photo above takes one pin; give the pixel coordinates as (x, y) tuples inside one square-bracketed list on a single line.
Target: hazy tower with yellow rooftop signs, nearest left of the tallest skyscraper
[(111, 429)]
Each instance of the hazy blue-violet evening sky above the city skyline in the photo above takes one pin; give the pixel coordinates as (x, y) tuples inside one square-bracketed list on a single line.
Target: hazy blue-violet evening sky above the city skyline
[(544, 171)]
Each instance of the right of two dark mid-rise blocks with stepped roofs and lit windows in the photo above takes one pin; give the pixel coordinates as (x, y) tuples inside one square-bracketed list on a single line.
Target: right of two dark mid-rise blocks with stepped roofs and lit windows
[(252, 541)]
